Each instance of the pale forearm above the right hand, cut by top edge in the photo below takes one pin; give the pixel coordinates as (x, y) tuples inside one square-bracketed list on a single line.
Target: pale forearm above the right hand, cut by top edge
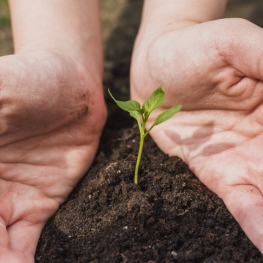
[(159, 18)]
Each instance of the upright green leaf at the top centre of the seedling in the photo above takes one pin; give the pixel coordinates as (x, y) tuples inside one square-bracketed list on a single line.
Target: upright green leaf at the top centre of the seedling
[(155, 101)]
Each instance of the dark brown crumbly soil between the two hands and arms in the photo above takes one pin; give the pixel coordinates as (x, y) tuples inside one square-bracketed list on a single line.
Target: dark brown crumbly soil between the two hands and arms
[(168, 217)]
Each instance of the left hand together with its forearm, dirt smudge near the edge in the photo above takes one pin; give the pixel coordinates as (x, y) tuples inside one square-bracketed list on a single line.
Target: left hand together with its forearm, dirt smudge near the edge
[(52, 112)]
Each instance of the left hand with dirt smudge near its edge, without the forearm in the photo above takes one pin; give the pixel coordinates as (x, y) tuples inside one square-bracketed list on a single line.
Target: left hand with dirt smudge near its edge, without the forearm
[(51, 116)]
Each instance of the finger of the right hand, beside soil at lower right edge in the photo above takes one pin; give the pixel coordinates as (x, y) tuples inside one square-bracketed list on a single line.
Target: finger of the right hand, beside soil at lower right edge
[(245, 203)]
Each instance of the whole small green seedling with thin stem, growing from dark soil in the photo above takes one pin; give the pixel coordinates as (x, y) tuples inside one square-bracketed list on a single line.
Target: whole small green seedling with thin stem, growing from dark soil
[(142, 113)]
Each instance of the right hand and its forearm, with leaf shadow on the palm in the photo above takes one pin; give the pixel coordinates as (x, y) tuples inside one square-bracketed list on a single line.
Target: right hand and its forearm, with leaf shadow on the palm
[(215, 69)]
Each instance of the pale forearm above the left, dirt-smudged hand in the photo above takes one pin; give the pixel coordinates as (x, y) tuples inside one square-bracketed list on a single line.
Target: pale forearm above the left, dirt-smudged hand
[(70, 29)]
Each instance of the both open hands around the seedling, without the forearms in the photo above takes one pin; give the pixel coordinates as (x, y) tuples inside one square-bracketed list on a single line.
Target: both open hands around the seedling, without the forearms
[(52, 112)]
